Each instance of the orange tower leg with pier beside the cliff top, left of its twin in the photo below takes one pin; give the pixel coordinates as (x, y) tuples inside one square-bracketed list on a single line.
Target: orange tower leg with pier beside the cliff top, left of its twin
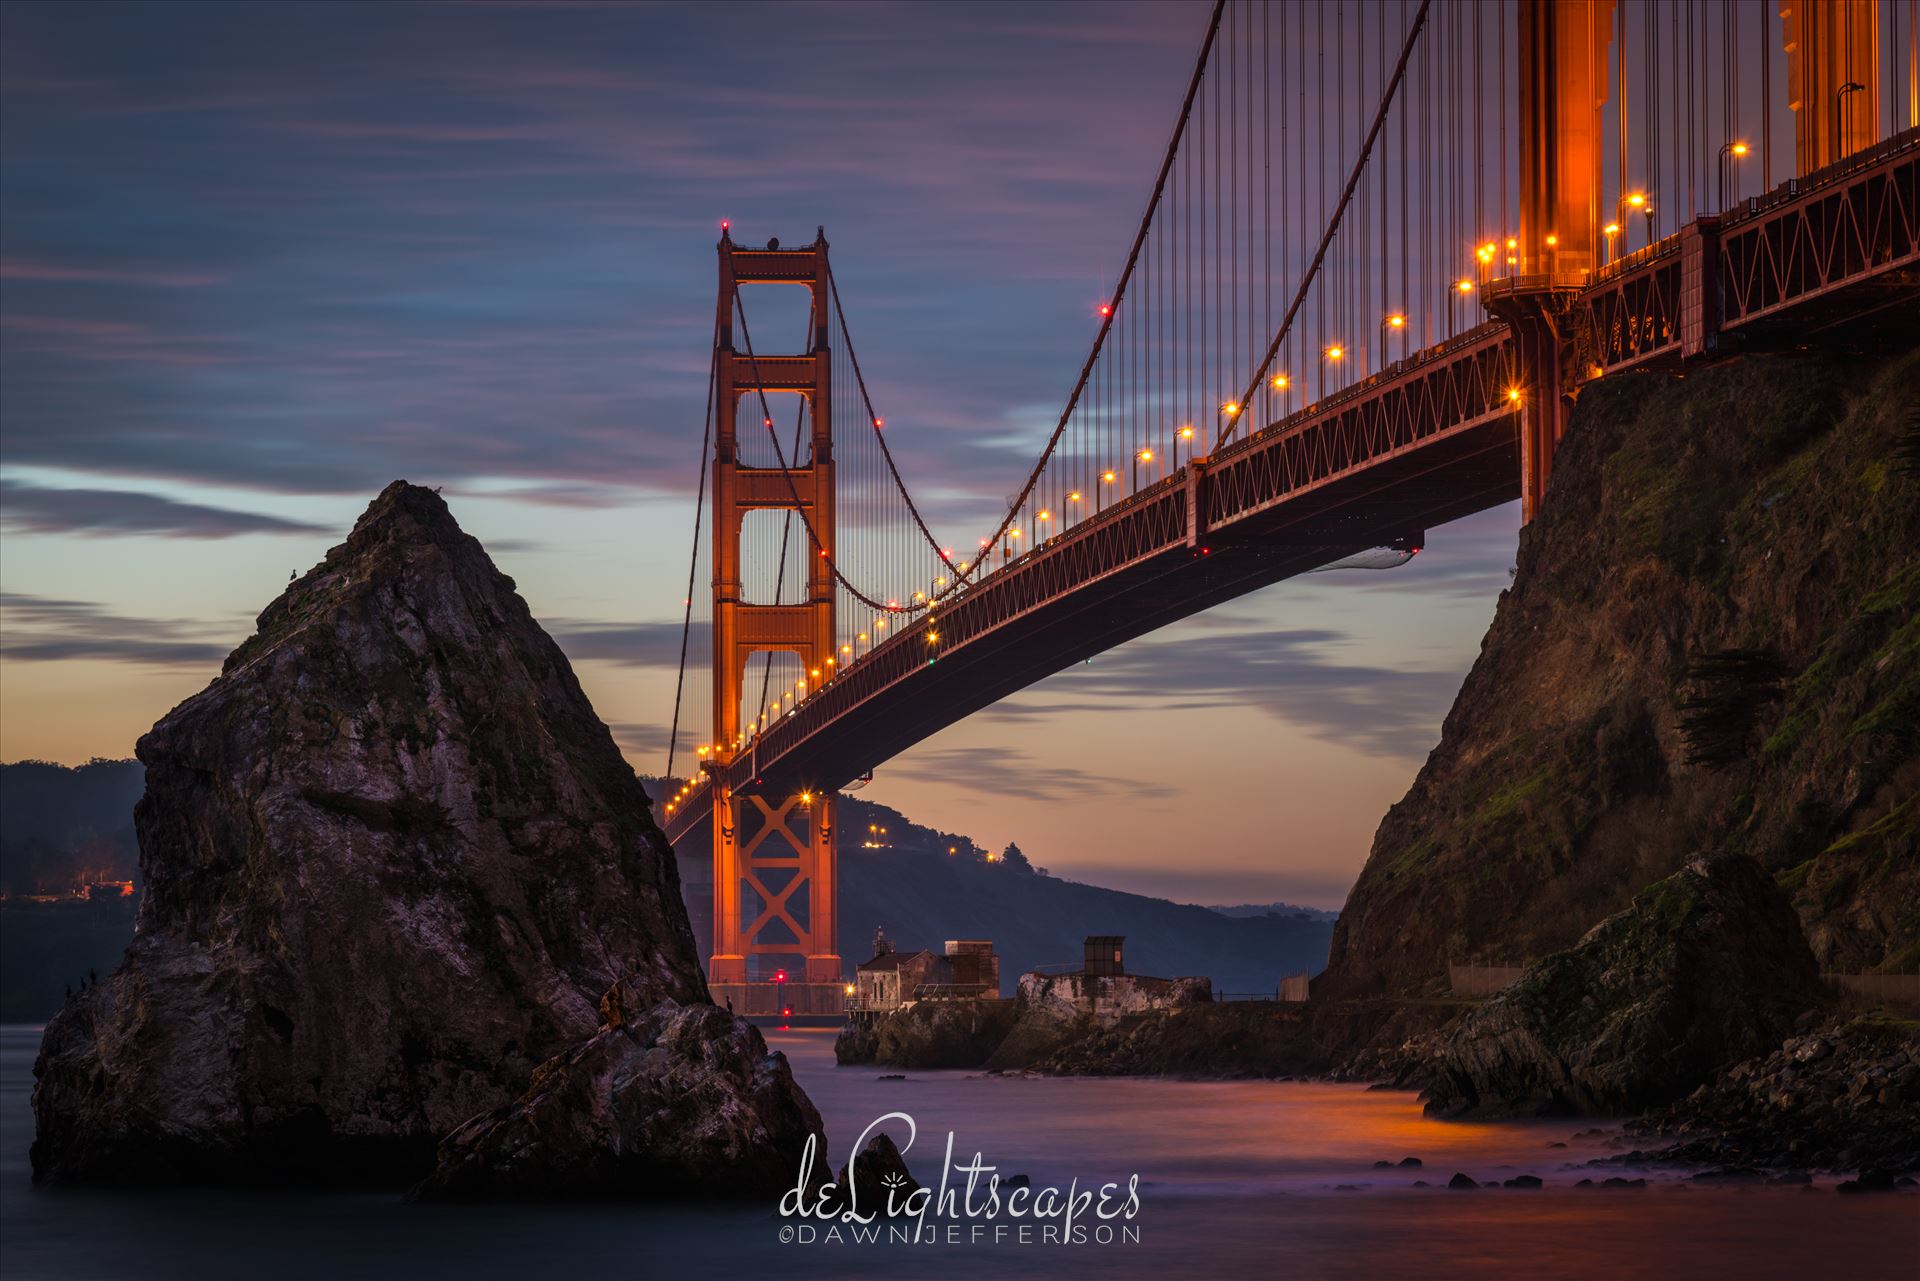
[(1564, 85)]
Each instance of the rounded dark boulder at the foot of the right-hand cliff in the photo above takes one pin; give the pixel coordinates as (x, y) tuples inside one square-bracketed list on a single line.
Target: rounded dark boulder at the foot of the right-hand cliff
[(1708, 967)]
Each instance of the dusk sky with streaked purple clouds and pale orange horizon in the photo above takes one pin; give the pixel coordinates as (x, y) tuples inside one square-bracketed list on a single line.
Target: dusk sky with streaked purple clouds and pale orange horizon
[(256, 262)]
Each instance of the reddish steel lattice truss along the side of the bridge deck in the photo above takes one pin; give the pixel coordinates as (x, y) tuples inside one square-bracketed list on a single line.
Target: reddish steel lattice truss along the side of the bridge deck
[(1848, 226)]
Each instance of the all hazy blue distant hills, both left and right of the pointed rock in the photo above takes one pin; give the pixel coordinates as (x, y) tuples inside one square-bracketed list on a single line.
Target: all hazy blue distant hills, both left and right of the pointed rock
[(62, 827)]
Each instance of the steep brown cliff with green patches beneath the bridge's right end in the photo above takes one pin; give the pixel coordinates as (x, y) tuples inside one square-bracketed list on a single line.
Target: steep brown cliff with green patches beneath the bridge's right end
[(1712, 644)]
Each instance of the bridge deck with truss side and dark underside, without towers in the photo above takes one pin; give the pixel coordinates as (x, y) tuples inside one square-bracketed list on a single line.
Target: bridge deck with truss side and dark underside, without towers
[(1424, 443)]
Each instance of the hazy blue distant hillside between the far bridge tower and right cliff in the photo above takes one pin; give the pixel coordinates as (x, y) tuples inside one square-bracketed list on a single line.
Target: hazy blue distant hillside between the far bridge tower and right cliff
[(923, 896)]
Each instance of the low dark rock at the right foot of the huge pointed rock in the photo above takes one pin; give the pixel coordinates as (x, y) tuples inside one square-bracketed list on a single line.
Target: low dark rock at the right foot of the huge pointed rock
[(667, 1101)]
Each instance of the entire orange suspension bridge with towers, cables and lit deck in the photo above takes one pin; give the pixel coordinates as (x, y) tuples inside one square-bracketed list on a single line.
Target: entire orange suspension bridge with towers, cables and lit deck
[(1385, 247)]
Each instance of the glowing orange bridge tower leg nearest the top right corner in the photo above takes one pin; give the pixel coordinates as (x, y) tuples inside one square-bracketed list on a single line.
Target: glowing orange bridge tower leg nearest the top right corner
[(1833, 78)]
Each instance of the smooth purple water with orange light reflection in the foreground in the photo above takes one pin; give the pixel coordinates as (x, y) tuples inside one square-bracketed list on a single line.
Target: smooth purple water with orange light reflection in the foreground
[(1237, 1180)]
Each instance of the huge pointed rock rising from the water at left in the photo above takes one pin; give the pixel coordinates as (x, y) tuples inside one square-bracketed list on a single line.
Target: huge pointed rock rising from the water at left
[(393, 859)]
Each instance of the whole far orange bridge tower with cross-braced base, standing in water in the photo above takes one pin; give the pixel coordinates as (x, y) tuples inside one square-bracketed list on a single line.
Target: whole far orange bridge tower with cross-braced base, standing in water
[(773, 856)]
